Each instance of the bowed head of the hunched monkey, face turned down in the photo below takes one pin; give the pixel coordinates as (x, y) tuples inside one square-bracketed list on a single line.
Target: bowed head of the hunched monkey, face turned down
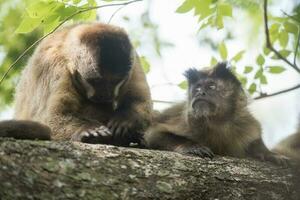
[(103, 59)]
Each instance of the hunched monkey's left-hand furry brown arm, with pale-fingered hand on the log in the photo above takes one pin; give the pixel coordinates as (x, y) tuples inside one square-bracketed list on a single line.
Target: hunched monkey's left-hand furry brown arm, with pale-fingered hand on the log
[(64, 117)]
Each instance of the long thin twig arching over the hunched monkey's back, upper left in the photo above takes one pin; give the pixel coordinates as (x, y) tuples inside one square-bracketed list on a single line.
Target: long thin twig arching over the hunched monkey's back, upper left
[(59, 25)]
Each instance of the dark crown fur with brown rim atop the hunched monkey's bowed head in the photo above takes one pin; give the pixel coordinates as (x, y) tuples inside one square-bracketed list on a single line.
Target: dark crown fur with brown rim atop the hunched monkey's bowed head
[(112, 47)]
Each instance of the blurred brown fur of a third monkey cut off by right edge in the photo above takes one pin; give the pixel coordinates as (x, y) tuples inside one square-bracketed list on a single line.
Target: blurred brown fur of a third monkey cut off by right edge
[(290, 146)]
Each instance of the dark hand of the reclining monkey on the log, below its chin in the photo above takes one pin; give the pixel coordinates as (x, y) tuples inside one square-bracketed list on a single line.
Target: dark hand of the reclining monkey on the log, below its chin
[(194, 150)]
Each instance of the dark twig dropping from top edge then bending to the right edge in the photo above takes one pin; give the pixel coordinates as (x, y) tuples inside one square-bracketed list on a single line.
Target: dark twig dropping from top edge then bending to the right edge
[(269, 45)]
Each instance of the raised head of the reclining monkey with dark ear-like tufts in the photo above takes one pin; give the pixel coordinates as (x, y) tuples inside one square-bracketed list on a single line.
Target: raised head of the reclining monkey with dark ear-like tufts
[(214, 92)]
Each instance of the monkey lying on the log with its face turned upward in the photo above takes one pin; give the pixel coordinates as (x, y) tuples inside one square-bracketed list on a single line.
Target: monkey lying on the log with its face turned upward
[(213, 120)]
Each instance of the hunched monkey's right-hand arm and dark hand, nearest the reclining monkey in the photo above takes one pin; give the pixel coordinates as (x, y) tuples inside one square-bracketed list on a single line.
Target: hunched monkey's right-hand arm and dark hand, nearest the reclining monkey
[(134, 112)]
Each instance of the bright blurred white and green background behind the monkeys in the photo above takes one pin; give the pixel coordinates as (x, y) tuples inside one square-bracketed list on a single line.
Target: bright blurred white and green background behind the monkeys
[(171, 36)]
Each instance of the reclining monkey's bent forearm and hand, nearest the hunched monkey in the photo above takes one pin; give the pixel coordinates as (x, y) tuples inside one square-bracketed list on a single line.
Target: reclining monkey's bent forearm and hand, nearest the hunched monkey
[(160, 137)]
